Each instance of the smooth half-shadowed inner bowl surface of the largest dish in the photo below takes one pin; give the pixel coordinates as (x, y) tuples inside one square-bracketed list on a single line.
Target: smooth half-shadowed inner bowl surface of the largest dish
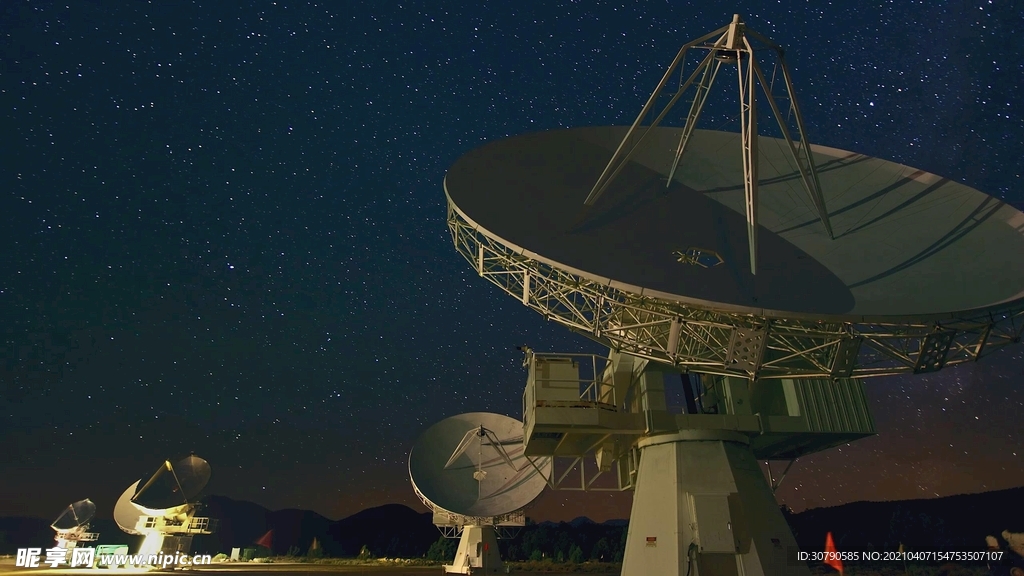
[(908, 242)]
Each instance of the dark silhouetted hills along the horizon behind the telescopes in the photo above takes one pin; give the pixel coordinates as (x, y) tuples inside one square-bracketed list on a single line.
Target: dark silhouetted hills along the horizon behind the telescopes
[(394, 530)]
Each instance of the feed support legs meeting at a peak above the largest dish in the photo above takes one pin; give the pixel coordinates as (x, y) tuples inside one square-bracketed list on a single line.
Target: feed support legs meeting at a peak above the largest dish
[(734, 47)]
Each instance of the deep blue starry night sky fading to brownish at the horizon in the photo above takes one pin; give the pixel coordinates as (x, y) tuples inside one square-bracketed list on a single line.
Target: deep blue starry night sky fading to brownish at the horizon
[(224, 230)]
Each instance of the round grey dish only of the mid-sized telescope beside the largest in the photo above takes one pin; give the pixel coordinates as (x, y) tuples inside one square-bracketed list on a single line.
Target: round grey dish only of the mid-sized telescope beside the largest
[(473, 468)]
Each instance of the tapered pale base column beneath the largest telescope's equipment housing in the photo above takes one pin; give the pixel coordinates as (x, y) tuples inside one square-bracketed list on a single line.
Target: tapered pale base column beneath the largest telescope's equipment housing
[(702, 507)]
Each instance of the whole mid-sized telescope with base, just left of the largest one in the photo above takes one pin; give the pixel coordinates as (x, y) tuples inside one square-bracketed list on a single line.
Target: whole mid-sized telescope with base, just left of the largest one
[(471, 471)]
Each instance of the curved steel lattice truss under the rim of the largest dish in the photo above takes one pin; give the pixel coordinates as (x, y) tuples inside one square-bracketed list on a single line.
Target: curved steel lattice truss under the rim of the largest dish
[(736, 344)]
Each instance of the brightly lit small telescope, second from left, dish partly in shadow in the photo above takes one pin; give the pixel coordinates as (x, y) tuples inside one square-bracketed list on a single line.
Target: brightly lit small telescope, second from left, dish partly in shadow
[(164, 509)]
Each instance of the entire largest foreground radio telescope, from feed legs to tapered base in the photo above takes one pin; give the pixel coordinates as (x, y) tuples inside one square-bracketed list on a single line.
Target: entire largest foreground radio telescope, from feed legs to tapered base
[(767, 276)]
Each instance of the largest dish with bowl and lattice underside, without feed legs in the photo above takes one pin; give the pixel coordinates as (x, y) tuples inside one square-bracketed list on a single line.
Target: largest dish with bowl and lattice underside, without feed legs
[(924, 272)]
